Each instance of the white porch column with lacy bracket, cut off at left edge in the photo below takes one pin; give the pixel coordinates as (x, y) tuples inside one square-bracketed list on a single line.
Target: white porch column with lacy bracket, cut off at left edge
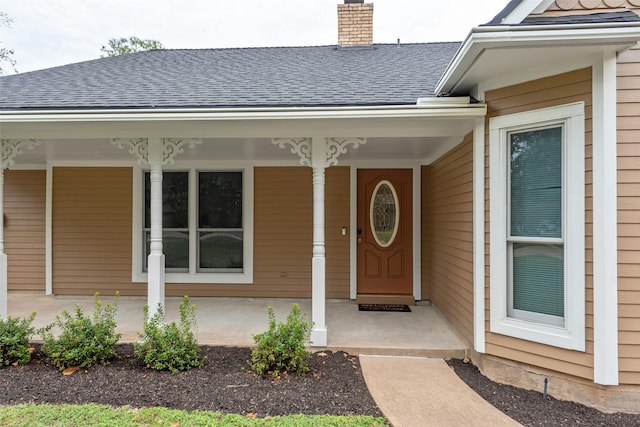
[(9, 150)]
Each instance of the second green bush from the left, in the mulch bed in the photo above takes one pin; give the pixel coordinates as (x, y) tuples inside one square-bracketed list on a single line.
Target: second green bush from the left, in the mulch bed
[(83, 340)]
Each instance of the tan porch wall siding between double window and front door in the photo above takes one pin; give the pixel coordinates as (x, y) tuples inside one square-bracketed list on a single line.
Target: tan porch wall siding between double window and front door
[(283, 237)]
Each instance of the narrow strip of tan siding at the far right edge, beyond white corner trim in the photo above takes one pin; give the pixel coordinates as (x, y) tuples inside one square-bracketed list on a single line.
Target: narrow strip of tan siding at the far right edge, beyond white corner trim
[(629, 215)]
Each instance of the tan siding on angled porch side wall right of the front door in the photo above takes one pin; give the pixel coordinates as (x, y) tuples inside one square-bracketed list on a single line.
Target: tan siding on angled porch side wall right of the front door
[(449, 236)]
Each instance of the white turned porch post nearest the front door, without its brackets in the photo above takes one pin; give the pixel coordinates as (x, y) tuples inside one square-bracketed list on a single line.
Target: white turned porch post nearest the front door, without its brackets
[(318, 263)]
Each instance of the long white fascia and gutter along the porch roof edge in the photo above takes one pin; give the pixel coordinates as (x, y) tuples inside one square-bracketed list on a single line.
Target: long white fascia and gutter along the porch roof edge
[(443, 108)]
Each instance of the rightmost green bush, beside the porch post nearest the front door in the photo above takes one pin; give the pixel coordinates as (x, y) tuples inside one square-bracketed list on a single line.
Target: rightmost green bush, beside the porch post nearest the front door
[(282, 348)]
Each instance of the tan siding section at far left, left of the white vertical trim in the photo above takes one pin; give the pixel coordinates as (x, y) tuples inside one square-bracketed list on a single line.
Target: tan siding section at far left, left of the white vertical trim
[(24, 228)]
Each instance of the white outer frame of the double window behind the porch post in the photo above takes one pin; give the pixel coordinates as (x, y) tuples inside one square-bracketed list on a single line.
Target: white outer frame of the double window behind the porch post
[(193, 275)]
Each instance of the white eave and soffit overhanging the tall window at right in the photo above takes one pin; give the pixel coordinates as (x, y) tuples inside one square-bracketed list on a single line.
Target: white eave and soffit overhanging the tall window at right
[(490, 53)]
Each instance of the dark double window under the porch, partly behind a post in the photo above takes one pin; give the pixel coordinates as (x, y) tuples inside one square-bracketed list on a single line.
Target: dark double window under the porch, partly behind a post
[(206, 226)]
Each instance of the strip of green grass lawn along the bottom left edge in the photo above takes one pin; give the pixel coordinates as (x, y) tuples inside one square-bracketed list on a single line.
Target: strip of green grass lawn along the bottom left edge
[(101, 415)]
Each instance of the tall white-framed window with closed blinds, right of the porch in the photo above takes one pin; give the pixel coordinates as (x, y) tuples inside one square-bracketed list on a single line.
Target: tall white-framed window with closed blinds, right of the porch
[(537, 225)]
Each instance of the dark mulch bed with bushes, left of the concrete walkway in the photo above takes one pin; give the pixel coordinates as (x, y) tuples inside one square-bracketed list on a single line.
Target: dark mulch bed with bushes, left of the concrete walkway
[(334, 385)]
